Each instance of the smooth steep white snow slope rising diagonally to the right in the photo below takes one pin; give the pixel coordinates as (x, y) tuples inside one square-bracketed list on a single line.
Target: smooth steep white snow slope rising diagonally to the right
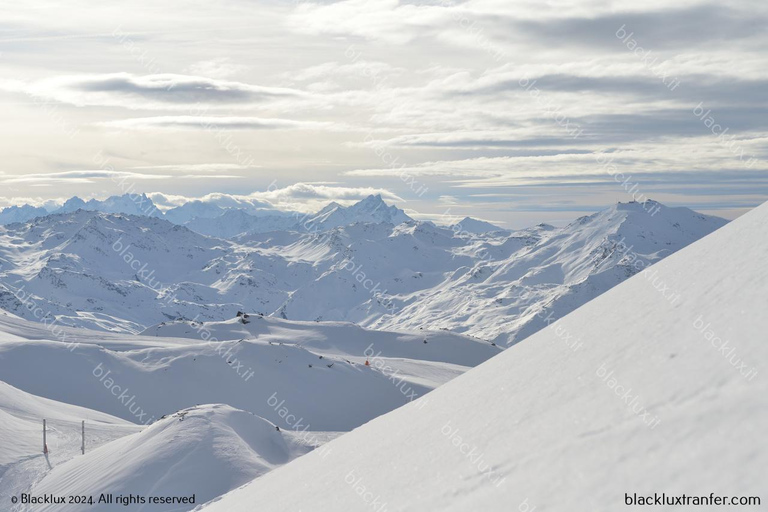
[(652, 400)]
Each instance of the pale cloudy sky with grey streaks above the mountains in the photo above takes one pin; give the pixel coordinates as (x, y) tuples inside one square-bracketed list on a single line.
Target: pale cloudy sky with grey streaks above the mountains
[(515, 112)]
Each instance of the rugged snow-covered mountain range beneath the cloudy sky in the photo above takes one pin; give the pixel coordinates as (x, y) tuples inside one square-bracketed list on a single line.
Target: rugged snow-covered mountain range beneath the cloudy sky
[(124, 273)]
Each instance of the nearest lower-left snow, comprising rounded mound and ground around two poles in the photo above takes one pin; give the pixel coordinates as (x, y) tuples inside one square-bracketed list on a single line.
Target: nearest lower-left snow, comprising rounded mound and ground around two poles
[(197, 453)]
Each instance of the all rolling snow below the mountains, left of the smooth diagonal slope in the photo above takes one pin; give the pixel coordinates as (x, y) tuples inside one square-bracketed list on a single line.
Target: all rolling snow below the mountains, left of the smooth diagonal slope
[(307, 378)]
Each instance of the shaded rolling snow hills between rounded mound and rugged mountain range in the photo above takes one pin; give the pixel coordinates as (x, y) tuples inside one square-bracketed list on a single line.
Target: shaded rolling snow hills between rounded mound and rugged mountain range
[(316, 369)]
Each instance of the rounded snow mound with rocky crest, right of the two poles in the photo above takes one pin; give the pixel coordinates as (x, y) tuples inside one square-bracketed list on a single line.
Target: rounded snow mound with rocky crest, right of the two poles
[(202, 452)]
